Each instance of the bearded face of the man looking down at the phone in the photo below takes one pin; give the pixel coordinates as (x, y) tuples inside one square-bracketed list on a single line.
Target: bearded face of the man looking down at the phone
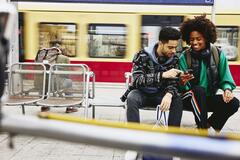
[(167, 49)]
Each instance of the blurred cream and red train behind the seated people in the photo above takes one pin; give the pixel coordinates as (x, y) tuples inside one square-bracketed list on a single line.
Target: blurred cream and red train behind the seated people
[(105, 36)]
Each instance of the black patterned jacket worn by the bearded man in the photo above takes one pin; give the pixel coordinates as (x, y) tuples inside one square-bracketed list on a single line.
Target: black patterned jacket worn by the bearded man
[(147, 74)]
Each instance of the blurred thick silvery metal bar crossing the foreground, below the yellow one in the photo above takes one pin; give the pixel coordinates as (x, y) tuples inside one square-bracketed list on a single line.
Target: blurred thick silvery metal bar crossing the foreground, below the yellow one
[(153, 143)]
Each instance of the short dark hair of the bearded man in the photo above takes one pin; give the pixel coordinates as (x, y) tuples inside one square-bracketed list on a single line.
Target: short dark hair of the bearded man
[(168, 33)]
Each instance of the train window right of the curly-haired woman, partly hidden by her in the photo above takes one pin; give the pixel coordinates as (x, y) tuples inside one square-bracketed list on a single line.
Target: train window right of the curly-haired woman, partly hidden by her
[(227, 40)]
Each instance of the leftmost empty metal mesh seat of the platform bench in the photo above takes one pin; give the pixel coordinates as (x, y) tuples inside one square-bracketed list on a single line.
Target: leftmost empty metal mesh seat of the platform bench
[(22, 88)]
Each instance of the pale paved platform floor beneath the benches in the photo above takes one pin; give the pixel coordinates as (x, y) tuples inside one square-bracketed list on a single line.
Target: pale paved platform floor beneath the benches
[(108, 107)]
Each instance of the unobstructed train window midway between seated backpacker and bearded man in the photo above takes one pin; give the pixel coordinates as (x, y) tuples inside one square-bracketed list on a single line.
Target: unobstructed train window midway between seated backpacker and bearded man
[(106, 40)]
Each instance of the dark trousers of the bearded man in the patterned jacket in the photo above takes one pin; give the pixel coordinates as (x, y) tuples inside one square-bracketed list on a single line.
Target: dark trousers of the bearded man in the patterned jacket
[(137, 99)]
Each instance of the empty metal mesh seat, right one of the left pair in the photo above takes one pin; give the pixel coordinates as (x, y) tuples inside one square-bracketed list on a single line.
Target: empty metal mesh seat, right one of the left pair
[(69, 85)]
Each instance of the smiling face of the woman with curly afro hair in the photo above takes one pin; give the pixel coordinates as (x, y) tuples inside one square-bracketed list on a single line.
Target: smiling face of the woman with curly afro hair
[(197, 41)]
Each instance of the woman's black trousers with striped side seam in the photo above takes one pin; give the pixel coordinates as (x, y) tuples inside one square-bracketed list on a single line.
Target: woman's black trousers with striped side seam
[(221, 110)]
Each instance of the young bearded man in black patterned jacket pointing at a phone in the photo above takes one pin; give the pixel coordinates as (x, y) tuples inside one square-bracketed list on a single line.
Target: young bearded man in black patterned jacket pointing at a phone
[(155, 78)]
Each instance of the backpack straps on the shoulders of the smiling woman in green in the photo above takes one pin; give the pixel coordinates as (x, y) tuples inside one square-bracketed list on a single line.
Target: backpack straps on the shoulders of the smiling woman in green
[(214, 51)]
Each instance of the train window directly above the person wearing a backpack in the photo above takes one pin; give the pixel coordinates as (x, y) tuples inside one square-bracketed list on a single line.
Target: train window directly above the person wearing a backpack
[(62, 35)]
